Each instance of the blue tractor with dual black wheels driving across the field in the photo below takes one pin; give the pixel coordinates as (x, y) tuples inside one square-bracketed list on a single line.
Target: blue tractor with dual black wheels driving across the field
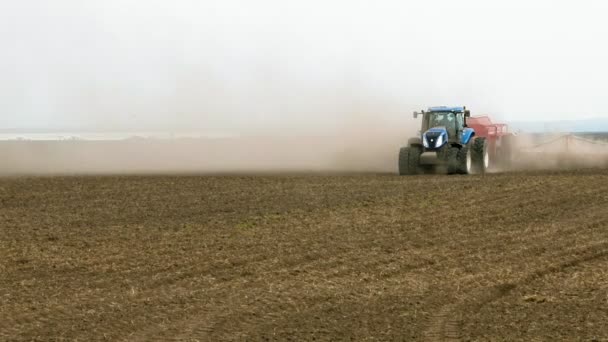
[(445, 142)]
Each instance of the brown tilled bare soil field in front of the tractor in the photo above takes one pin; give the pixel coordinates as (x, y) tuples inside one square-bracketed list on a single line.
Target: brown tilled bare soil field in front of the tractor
[(519, 256)]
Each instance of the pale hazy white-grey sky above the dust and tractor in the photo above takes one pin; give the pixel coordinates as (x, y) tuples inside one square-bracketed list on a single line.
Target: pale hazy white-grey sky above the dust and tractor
[(238, 65)]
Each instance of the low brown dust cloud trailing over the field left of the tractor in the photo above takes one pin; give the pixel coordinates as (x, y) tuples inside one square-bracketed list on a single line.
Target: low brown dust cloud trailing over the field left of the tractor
[(363, 142)]
